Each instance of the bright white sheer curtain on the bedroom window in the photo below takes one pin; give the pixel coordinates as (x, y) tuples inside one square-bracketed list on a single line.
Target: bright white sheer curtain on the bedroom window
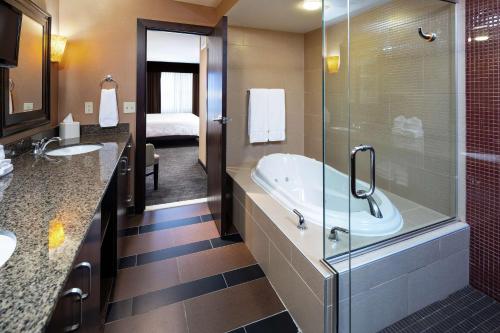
[(176, 92)]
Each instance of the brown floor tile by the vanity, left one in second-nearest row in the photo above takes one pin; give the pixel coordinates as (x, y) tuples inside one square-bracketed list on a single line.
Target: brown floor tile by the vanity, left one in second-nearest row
[(142, 279)]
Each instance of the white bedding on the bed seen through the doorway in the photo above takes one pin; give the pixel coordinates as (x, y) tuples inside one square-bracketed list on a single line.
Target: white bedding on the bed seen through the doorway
[(168, 124)]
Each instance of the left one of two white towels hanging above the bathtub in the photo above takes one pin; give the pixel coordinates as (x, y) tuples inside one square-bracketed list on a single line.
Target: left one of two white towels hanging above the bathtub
[(257, 115)]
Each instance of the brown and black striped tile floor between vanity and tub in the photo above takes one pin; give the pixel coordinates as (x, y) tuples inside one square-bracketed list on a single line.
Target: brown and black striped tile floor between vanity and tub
[(177, 275)]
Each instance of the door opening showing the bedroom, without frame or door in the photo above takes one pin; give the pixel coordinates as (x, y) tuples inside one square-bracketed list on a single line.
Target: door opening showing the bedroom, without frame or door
[(175, 118)]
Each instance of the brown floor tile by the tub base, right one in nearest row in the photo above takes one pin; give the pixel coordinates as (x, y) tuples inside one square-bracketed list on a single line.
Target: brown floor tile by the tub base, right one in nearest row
[(232, 307)]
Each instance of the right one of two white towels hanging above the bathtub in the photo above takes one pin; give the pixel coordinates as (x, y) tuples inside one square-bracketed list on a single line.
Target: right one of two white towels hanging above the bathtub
[(276, 115)]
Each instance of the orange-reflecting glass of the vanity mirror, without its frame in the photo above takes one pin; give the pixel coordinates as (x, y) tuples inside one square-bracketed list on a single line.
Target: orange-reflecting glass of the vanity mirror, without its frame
[(25, 80)]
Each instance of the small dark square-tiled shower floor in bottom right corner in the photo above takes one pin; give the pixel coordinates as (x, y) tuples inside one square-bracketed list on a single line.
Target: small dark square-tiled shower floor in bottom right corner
[(467, 310)]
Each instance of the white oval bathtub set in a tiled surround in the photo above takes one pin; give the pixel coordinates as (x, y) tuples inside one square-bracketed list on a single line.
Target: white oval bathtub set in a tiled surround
[(296, 182)]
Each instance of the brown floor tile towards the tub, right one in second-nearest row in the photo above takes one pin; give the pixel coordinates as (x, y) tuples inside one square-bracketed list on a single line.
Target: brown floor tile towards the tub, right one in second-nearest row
[(215, 261)]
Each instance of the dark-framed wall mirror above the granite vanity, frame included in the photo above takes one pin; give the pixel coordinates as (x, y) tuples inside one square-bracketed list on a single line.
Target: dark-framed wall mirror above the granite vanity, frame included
[(24, 80)]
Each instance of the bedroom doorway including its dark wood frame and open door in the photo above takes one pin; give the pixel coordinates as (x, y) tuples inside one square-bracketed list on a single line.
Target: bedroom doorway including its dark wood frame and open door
[(181, 110)]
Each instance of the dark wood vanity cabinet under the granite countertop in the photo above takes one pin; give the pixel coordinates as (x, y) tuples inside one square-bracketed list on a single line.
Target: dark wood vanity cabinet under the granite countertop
[(83, 300)]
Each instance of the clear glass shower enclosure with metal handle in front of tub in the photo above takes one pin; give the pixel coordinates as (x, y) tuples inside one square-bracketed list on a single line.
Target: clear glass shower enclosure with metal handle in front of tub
[(389, 127)]
